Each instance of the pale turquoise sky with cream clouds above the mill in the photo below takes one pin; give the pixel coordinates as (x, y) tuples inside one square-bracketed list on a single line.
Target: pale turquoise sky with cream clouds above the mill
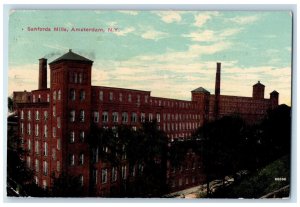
[(169, 53)]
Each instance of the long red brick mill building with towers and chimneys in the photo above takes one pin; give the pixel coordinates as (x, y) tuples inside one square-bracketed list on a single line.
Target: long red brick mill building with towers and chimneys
[(54, 122)]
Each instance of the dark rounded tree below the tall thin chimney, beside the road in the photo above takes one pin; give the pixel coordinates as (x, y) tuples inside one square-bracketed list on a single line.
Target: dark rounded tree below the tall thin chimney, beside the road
[(222, 144)]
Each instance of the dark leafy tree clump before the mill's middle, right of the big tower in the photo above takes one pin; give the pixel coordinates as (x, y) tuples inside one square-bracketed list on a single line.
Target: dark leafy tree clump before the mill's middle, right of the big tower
[(146, 147)]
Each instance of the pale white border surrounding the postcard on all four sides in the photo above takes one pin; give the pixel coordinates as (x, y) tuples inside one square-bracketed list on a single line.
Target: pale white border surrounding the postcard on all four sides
[(160, 5)]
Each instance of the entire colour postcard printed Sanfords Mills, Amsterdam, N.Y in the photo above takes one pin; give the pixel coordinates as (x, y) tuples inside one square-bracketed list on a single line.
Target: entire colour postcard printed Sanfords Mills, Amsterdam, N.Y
[(149, 104)]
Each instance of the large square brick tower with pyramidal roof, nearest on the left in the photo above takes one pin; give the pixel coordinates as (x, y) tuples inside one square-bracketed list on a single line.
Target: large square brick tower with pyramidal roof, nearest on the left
[(70, 114)]
